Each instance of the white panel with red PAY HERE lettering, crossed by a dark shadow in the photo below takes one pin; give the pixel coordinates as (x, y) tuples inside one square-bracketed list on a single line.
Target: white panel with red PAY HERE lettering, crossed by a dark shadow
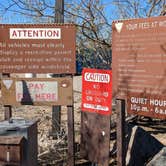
[(36, 91)]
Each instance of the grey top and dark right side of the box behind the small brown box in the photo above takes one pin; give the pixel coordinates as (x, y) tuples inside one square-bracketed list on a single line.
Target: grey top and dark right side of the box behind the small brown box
[(26, 129)]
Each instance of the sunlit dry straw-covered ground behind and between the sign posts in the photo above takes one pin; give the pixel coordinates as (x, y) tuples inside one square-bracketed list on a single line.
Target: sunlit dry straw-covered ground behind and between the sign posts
[(53, 151)]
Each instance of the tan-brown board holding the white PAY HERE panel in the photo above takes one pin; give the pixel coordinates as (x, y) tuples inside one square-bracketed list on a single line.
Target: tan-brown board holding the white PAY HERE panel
[(31, 91)]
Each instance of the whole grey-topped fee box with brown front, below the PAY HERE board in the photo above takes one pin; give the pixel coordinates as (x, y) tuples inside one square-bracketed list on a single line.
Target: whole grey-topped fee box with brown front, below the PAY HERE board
[(20, 145)]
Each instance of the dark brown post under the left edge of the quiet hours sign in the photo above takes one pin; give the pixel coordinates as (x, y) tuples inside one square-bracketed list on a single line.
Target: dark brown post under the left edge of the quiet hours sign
[(120, 109)]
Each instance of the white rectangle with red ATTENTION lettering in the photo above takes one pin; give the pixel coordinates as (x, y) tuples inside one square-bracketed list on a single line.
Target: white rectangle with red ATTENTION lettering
[(35, 33)]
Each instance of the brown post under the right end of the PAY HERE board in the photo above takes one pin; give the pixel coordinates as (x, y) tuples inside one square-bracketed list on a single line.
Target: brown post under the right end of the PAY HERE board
[(70, 115)]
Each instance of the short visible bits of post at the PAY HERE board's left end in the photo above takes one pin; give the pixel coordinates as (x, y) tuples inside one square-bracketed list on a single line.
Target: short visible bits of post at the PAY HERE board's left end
[(8, 108)]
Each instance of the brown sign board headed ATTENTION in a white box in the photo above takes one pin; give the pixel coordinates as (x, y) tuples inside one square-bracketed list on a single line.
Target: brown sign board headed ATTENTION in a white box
[(37, 48)]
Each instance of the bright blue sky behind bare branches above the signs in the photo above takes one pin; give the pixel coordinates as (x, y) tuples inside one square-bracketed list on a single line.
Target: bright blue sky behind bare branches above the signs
[(110, 10)]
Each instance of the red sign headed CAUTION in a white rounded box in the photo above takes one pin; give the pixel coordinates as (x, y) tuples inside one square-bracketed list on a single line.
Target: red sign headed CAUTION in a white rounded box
[(97, 91)]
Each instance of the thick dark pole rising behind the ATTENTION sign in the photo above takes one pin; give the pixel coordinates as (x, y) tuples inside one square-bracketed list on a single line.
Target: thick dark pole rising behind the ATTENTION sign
[(56, 110)]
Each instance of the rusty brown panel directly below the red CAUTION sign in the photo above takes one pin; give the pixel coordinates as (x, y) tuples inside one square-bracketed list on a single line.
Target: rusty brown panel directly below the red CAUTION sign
[(95, 137)]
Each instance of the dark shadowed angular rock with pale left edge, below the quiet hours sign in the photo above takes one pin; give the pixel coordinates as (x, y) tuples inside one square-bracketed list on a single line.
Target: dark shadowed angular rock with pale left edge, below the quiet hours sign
[(142, 147)]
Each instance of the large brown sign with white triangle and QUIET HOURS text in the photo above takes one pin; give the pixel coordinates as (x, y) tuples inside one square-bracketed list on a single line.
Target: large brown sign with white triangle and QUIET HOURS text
[(139, 63)]
